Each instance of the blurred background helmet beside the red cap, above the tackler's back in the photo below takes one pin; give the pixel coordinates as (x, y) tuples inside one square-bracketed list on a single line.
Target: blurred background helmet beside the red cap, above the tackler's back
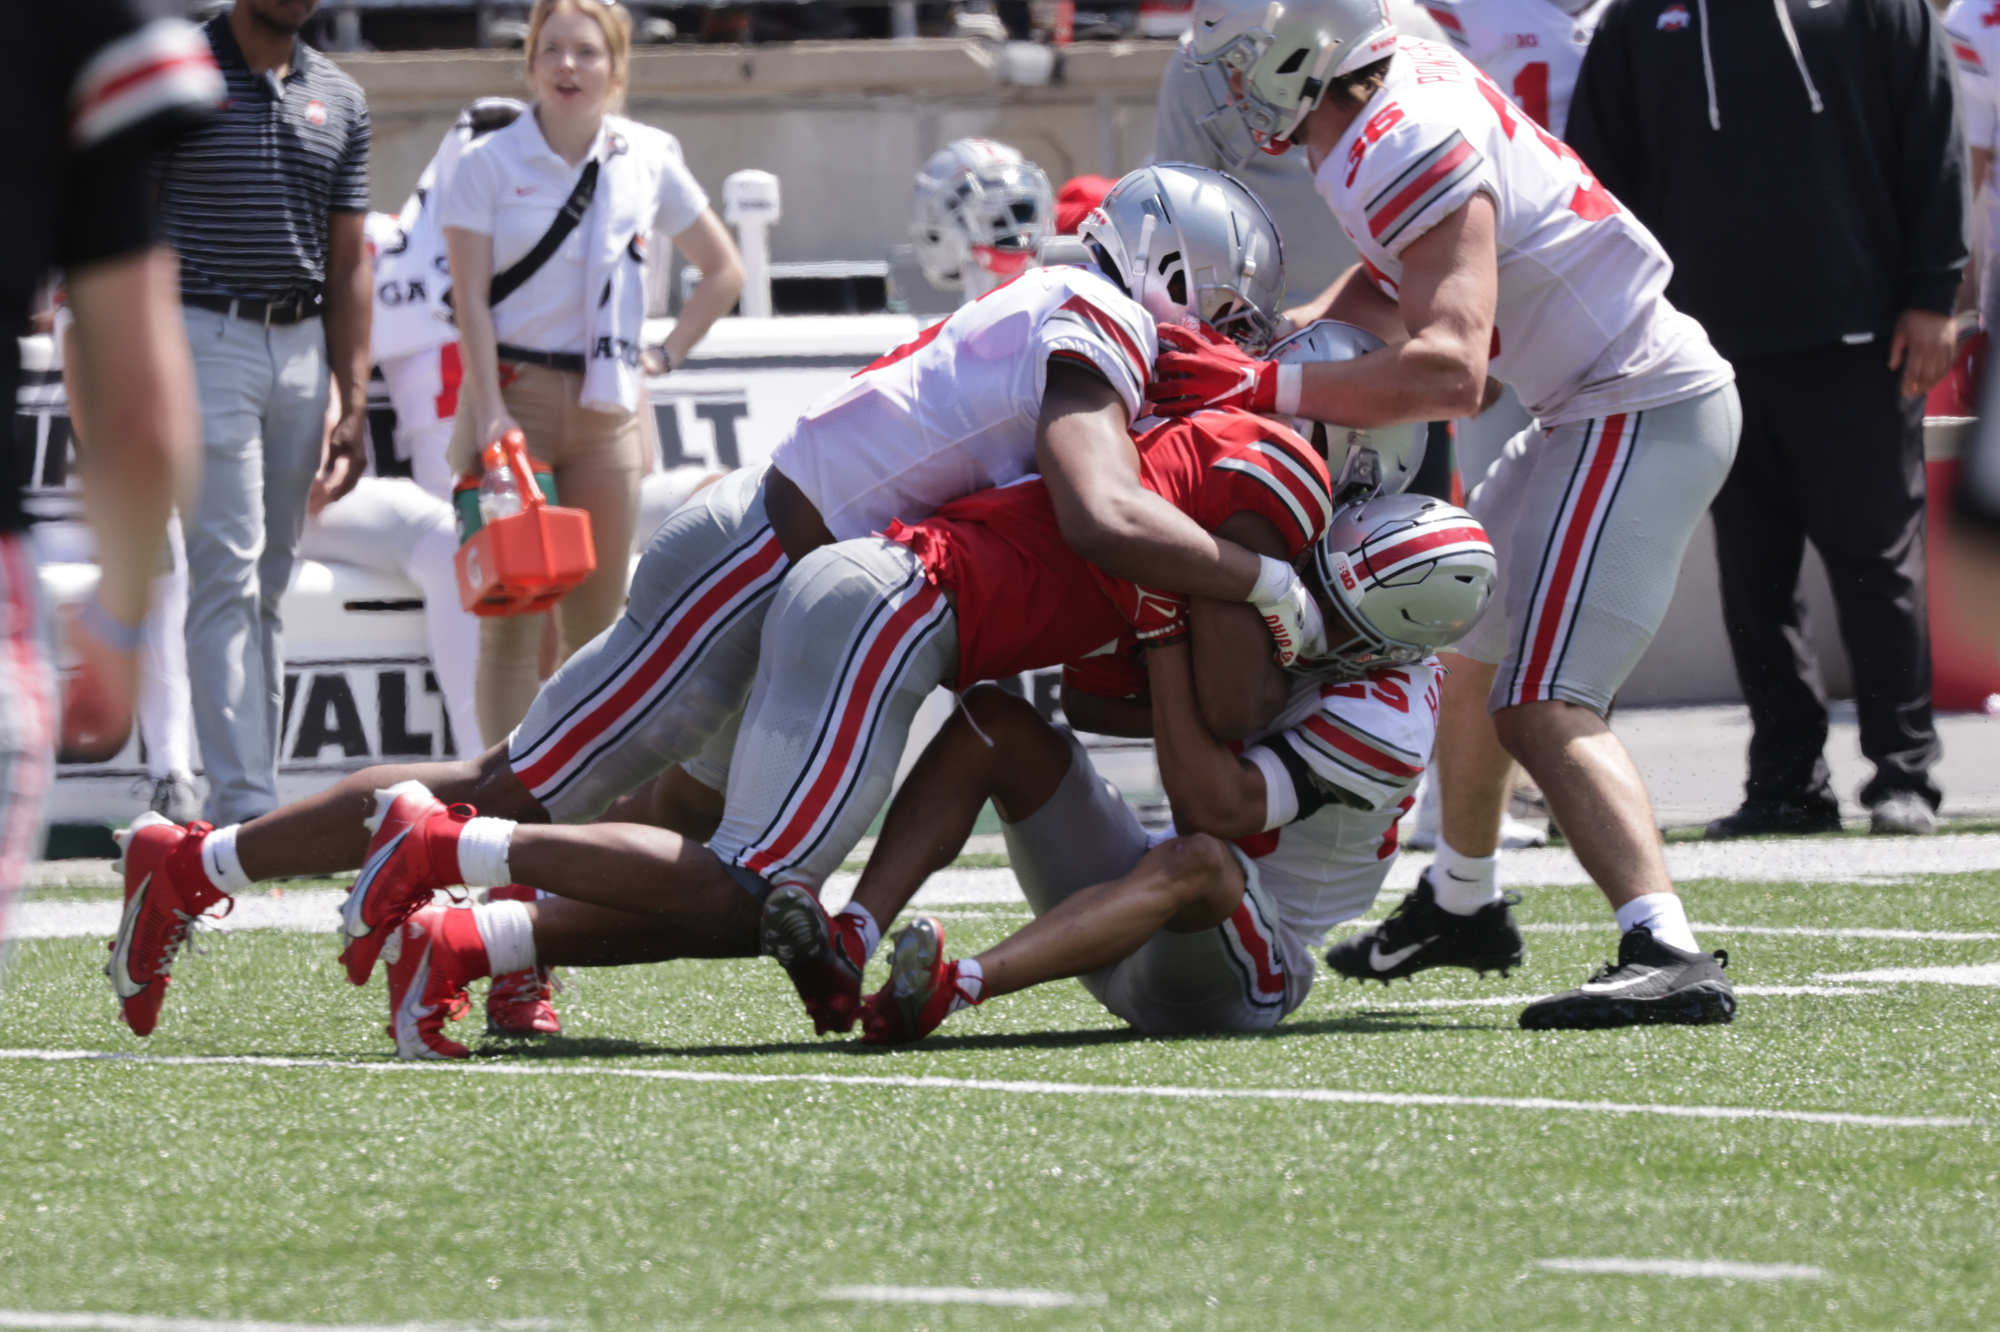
[(979, 211)]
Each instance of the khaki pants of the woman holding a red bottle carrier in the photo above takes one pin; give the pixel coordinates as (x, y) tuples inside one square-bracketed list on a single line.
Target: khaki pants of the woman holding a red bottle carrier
[(597, 459)]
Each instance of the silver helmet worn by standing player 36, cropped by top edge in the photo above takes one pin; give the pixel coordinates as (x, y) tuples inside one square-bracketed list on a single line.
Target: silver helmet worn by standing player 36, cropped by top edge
[(1285, 55)]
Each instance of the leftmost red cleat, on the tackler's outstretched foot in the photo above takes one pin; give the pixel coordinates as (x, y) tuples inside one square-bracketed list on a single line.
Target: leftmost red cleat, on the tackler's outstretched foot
[(167, 893)]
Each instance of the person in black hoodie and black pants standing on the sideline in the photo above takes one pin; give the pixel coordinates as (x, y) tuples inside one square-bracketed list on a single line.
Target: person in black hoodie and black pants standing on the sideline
[(1803, 165)]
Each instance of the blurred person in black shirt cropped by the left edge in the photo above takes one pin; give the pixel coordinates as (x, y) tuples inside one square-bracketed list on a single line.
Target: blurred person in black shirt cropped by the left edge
[(87, 91)]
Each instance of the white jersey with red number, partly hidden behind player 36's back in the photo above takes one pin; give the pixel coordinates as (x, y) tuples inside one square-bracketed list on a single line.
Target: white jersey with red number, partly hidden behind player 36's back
[(1529, 47)]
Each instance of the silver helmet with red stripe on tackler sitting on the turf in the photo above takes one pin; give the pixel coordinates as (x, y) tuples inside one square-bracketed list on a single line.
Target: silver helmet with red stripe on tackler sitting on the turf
[(1401, 577)]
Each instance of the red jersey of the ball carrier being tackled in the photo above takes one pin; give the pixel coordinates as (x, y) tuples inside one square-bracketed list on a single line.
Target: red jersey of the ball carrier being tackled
[(1027, 601)]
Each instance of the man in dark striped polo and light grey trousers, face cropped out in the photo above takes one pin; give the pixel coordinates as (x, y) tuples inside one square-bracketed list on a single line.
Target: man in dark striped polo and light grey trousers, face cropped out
[(267, 209)]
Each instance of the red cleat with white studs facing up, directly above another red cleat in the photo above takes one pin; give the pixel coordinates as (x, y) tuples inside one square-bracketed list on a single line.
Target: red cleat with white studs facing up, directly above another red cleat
[(413, 851)]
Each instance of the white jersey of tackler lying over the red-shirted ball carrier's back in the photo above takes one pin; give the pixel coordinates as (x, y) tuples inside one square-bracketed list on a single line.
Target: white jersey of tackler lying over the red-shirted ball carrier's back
[(955, 409)]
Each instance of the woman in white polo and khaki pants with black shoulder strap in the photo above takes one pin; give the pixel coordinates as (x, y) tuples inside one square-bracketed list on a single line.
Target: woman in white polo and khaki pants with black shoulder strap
[(569, 195)]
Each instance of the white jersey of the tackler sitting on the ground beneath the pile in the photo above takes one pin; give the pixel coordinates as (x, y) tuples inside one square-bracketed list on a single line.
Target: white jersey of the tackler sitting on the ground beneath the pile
[(1327, 855)]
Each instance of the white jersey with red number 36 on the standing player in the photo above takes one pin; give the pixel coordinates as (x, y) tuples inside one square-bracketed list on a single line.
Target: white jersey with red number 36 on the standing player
[(1583, 327)]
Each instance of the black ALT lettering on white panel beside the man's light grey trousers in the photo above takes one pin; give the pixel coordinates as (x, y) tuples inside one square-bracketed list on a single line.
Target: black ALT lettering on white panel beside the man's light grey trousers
[(347, 715)]
